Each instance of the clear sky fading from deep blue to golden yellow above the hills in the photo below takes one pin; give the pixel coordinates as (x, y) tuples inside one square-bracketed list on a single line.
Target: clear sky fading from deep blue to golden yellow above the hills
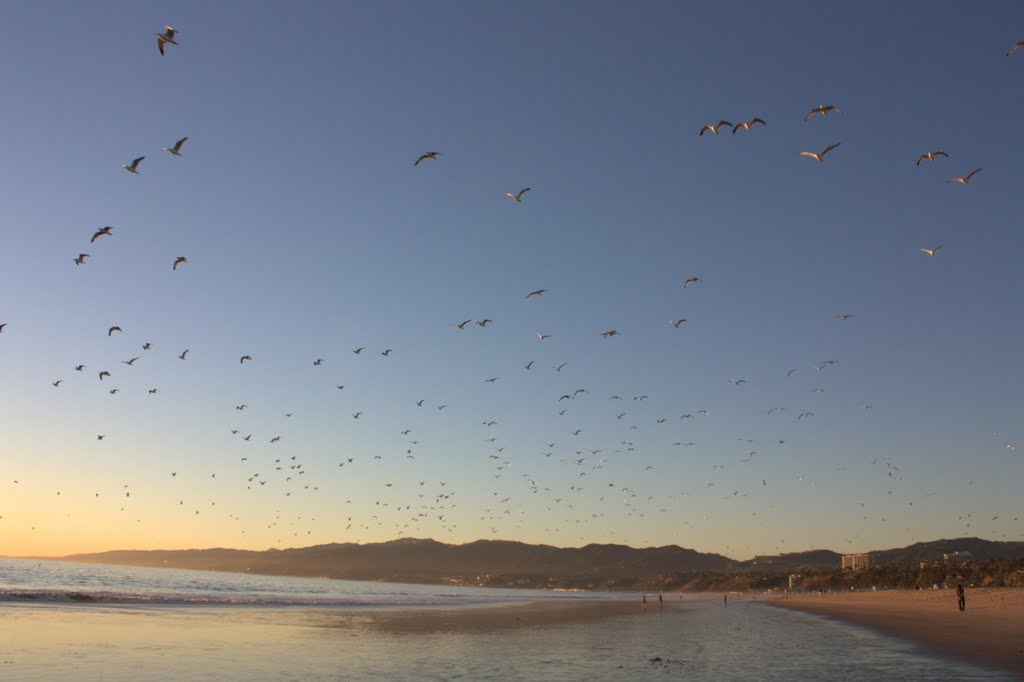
[(764, 423)]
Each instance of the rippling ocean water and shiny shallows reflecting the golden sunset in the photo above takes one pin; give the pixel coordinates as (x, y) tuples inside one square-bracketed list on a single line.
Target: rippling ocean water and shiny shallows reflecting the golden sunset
[(91, 622)]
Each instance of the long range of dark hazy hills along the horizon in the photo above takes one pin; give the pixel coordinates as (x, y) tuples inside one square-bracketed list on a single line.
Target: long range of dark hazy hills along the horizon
[(513, 564)]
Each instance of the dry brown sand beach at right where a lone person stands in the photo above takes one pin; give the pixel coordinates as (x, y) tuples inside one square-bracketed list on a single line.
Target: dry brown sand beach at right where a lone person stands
[(990, 633)]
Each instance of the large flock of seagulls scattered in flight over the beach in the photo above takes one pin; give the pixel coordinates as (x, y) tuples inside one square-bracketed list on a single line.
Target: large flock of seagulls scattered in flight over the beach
[(435, 502)]
